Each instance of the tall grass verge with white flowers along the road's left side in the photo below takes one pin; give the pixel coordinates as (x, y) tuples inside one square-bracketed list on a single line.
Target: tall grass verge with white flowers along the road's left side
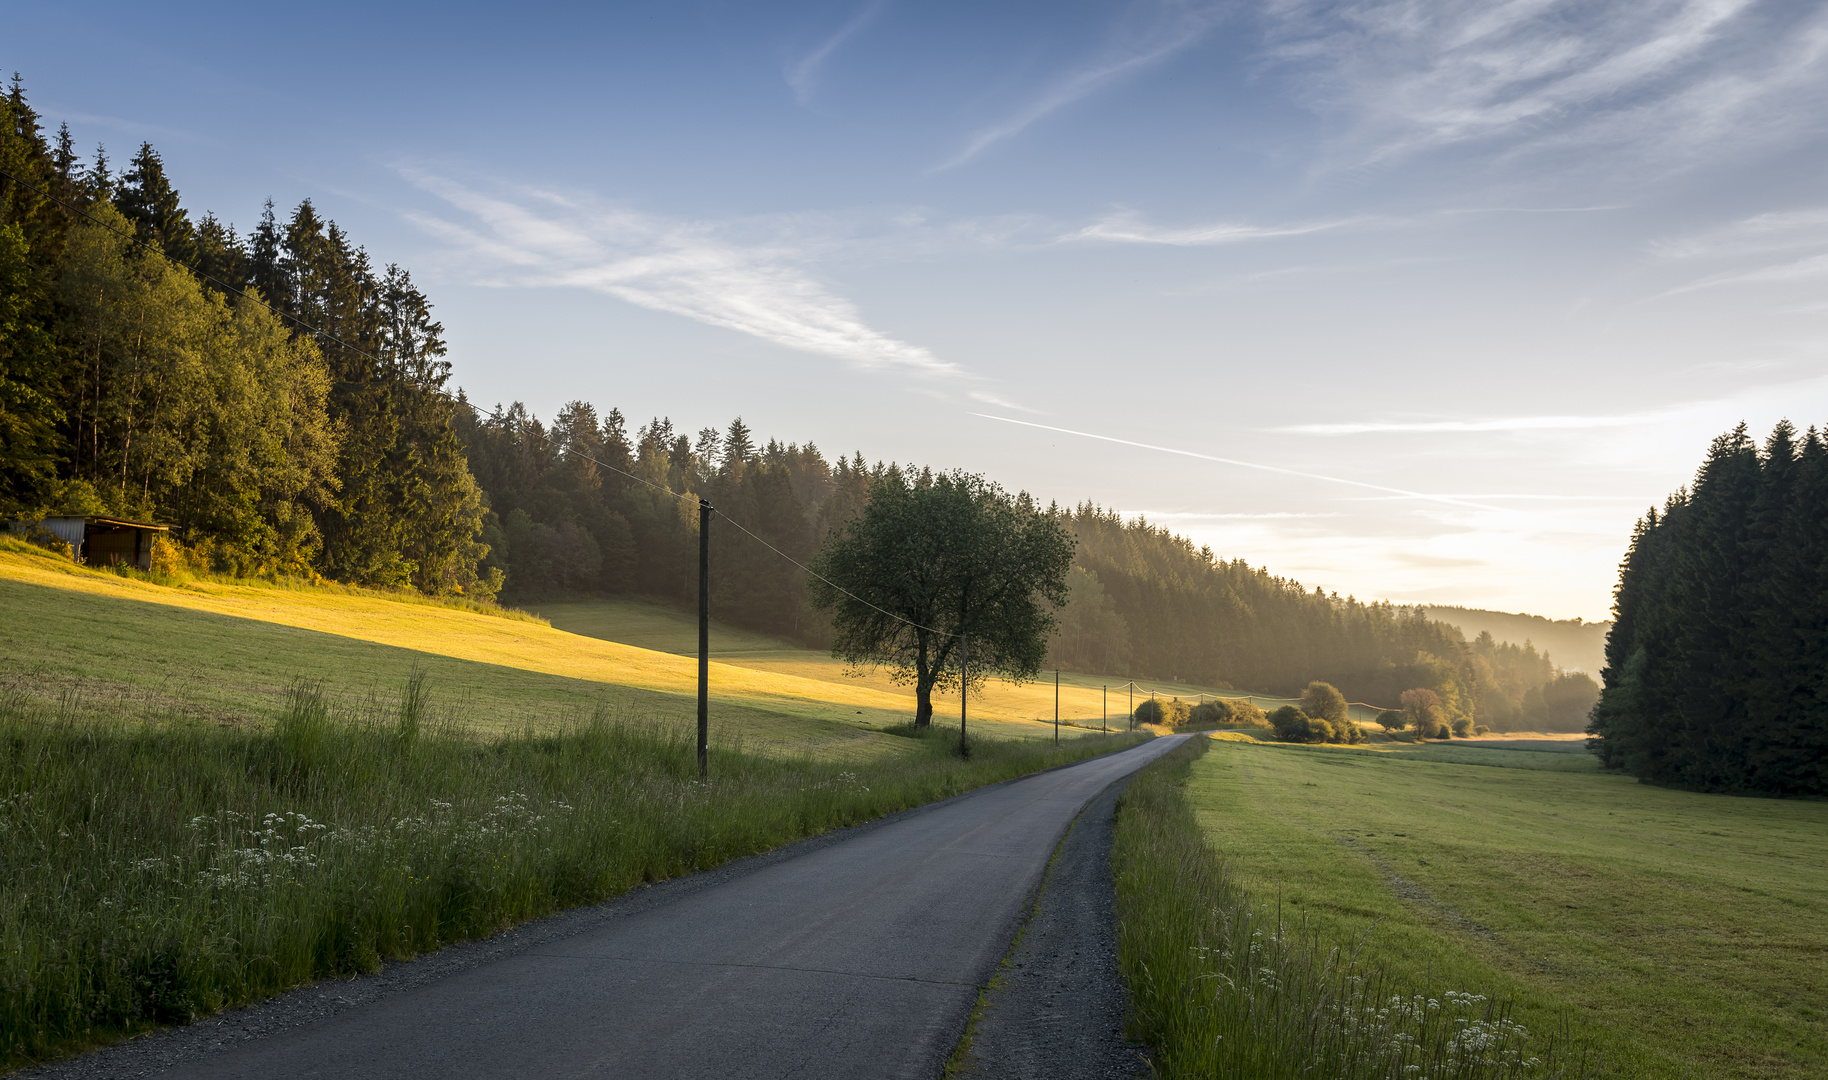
[(153, 873)]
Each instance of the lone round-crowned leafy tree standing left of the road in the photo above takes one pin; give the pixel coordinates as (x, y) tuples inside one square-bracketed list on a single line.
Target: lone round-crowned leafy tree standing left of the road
[(935, 558)]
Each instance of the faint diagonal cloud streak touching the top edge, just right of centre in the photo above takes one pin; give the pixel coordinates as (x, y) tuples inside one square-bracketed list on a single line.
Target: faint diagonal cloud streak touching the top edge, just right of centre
[(1149, 34)]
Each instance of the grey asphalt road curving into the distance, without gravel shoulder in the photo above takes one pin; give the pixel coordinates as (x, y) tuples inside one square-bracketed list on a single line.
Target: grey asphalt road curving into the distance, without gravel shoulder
[(856, 958)]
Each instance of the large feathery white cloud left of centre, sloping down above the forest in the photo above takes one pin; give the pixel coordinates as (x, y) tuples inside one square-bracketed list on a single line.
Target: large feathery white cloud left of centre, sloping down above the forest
[(694, 270)]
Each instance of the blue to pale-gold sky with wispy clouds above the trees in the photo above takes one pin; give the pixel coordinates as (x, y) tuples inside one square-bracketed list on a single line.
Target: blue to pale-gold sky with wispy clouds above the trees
[(1412, 301)]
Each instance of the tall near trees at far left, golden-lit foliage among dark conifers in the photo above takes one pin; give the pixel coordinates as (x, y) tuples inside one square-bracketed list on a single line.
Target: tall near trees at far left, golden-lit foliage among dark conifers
[(133, 385)]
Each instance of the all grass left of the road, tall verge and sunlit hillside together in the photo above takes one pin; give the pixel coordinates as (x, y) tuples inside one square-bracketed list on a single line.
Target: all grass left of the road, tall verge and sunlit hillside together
[(215, 790)]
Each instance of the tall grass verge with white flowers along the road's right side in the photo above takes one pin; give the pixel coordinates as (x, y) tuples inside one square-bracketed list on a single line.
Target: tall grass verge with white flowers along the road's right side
[(1224, 988)]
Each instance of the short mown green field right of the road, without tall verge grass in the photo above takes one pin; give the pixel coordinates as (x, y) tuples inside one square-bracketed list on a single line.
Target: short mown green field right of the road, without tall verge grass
[(1688, 933)]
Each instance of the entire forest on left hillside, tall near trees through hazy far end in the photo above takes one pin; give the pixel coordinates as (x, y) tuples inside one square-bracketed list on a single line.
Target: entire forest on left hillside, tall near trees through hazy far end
[(133, 385)]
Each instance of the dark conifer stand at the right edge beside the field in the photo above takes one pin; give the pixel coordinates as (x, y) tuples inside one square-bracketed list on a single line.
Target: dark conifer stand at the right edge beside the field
[(1717, 668)]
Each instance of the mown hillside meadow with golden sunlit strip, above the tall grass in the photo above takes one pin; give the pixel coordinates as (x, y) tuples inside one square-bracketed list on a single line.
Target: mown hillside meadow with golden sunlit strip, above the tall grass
[(123, 646)]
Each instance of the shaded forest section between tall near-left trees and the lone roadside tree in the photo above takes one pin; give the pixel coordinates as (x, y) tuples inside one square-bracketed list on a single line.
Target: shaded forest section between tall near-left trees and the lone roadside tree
[(588, 507)]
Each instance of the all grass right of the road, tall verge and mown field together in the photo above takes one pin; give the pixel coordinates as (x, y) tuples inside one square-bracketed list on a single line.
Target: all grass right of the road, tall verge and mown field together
[(1628, 929)]
